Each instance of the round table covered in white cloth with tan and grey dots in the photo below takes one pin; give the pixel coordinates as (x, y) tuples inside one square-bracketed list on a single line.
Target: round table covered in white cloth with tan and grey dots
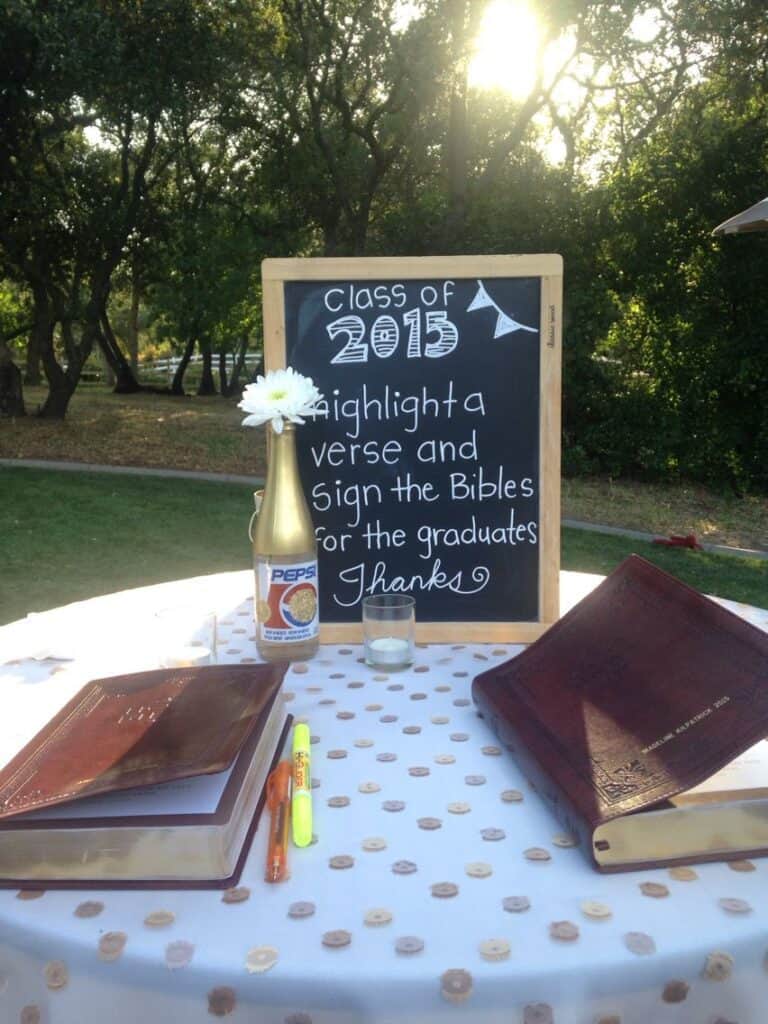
[(447, 911)]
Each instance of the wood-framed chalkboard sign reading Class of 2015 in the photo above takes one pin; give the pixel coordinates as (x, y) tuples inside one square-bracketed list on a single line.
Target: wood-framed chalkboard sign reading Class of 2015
[(436, 470)]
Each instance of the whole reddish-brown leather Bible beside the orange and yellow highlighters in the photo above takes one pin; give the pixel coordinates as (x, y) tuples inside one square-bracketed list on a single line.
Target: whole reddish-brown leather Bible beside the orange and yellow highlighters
[(154, 780)]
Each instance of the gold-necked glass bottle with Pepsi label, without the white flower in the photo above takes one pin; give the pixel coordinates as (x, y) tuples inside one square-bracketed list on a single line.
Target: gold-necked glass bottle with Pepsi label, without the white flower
[(285, 559)]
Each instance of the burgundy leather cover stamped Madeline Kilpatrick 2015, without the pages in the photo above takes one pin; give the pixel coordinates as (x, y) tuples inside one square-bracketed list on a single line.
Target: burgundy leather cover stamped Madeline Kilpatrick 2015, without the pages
[(642, 692)]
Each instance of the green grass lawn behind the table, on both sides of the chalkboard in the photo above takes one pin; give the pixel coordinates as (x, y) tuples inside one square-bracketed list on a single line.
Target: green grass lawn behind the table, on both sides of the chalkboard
[(71, 536)]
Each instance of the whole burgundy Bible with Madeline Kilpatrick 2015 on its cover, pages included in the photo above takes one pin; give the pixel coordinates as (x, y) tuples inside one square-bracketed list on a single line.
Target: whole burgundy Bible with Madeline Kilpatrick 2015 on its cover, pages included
[(641, 718)]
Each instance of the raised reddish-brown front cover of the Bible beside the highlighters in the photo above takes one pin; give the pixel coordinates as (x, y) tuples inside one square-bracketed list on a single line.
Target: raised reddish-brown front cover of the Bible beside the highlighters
[(138, 731)]
